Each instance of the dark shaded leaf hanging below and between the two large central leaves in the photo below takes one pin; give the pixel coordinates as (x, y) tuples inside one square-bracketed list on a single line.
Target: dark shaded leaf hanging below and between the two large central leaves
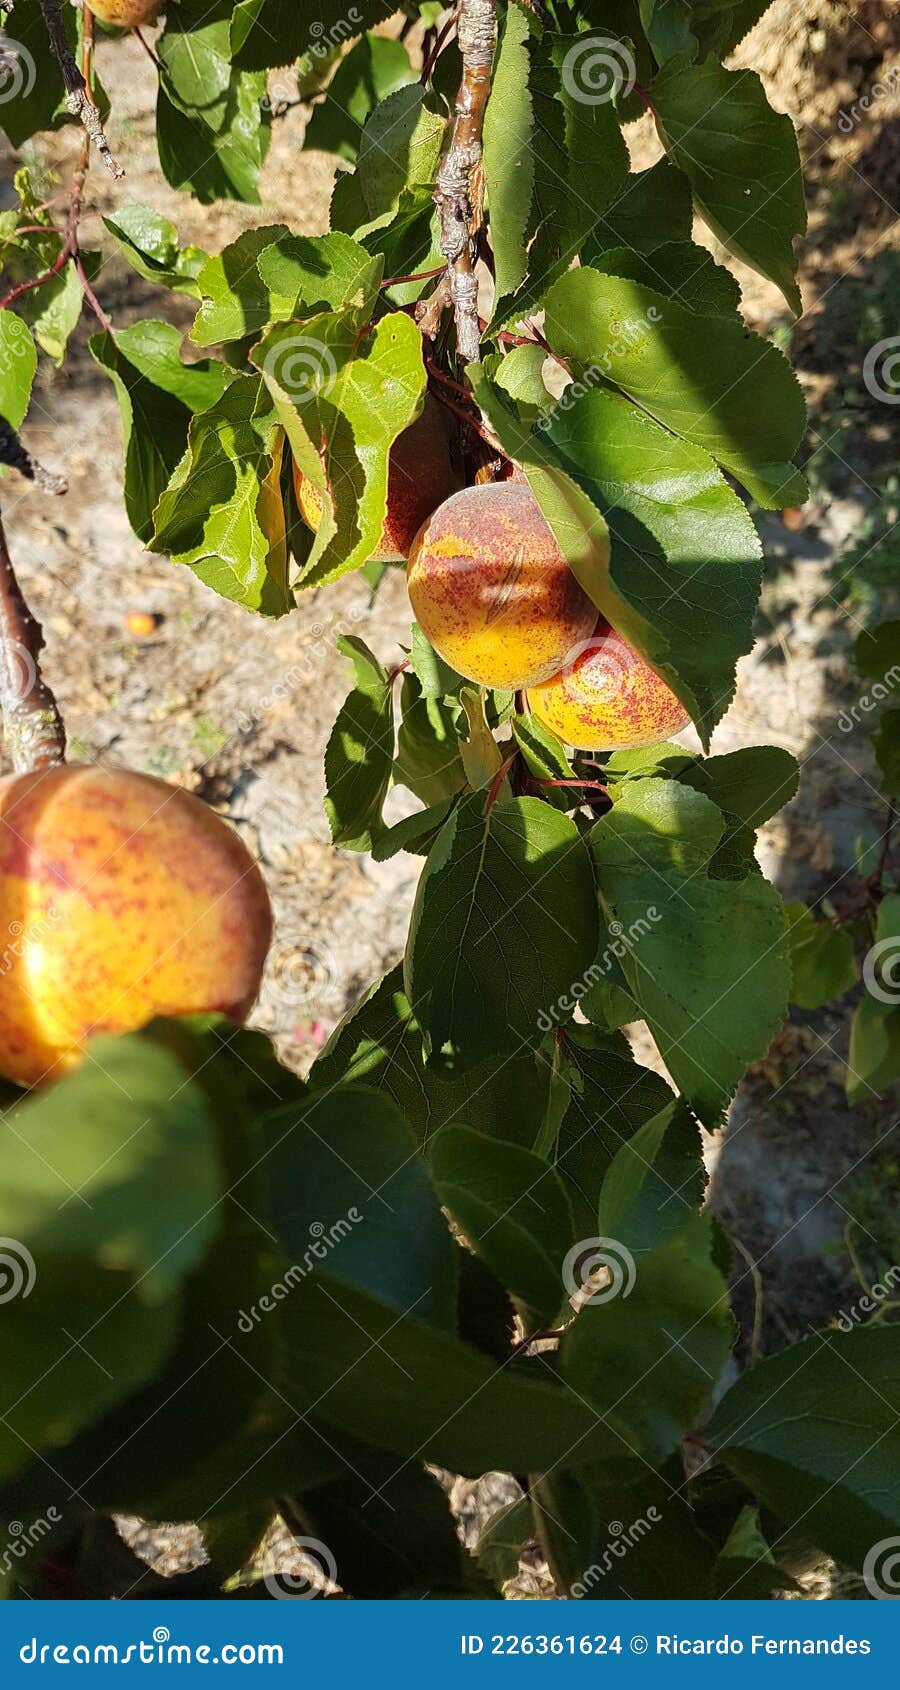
[(612, 1098)]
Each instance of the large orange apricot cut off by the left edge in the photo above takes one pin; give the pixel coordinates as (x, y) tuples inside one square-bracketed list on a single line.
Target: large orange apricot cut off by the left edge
[(122, 898)]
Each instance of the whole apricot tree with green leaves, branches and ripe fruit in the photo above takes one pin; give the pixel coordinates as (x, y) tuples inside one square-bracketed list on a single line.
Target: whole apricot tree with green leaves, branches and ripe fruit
[(475, 1236)]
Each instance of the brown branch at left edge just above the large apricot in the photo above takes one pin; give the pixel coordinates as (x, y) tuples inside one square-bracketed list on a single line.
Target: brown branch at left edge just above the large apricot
[(33, 726)]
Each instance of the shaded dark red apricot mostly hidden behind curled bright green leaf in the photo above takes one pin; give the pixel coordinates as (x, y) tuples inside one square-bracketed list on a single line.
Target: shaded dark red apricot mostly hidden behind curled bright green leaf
[(420, 479)]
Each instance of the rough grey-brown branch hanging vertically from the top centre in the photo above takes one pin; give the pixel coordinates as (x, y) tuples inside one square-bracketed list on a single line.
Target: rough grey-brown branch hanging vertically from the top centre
[(460, 185)]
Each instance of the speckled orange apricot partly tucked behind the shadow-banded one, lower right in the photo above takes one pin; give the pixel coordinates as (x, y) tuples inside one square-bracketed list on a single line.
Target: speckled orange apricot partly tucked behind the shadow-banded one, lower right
[(609, 699)]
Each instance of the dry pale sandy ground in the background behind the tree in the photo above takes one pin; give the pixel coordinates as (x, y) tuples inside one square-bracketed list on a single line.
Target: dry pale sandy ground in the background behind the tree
[(239, 709)]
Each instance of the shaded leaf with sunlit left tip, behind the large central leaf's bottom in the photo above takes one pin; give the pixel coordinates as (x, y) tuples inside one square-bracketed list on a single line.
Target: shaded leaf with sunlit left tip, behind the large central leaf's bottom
[(379, 1044)]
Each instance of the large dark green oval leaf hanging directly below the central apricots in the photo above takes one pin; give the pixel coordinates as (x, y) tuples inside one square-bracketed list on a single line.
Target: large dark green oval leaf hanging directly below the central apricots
[(504, 922)]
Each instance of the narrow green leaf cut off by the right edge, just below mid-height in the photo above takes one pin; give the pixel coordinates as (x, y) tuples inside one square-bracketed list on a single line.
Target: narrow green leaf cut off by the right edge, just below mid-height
[(874, 1062)]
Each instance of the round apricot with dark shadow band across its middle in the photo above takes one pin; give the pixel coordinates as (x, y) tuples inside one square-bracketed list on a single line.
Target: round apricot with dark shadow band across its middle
[(492, 591)]
